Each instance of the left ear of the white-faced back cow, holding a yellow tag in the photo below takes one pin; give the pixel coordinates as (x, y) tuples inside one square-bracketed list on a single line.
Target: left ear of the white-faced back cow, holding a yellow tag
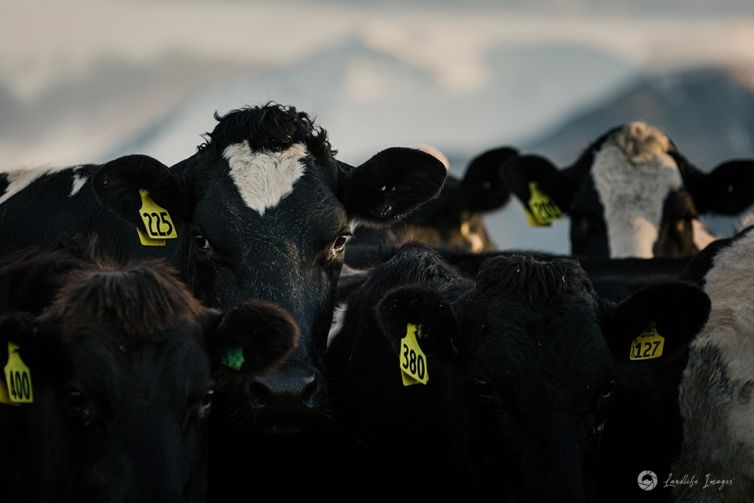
[(524, 172)]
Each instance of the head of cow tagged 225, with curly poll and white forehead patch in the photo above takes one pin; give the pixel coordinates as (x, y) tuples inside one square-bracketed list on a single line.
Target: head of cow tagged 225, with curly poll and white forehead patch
[(268, 211)]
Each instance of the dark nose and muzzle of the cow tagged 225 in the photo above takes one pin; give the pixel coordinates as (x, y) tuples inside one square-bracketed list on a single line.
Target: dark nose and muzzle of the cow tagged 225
[(290, 397)]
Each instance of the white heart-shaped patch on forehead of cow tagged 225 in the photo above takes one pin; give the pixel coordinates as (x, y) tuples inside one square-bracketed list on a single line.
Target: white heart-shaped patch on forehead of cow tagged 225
[(264, 178)]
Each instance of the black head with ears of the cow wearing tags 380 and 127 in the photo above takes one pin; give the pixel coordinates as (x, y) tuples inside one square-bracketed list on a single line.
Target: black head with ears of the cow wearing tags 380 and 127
[(543, 357)]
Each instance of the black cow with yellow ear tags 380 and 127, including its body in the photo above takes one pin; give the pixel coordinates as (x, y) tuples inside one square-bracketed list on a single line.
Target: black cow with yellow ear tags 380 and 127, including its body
[(520, 364)]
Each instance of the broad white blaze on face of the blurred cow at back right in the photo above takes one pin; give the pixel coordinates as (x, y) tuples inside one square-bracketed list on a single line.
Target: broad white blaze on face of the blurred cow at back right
[(633, 175)]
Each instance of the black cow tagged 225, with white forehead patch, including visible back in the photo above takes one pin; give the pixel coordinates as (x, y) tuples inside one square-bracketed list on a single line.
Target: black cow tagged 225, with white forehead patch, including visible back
[(262, 210)]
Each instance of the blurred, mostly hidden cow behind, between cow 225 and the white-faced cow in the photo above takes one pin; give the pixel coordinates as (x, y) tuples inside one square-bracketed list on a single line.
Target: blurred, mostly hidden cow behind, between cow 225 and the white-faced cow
[(454, 220)]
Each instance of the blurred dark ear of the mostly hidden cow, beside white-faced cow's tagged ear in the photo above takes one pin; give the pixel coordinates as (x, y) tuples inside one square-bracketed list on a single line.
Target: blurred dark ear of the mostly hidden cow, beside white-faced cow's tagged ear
[(483, 187)]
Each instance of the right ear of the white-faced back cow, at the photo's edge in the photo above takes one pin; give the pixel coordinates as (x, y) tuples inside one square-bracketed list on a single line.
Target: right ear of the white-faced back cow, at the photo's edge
[(728, 189)]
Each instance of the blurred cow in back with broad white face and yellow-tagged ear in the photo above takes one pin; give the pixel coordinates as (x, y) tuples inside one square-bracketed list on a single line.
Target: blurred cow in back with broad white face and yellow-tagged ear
[(633, 194)]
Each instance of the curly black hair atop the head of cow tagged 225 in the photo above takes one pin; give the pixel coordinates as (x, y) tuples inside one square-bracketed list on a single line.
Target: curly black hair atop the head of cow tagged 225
[(272, 127)]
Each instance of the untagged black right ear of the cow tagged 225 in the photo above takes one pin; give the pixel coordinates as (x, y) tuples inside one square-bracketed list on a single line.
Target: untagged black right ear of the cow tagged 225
[(390, 185)]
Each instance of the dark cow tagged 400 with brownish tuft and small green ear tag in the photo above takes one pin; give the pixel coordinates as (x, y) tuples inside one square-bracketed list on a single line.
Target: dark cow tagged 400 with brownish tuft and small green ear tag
[(110, 377)]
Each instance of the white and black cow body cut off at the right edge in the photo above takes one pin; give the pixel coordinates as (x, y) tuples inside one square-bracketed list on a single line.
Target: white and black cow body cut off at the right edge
[(716, 390)]
